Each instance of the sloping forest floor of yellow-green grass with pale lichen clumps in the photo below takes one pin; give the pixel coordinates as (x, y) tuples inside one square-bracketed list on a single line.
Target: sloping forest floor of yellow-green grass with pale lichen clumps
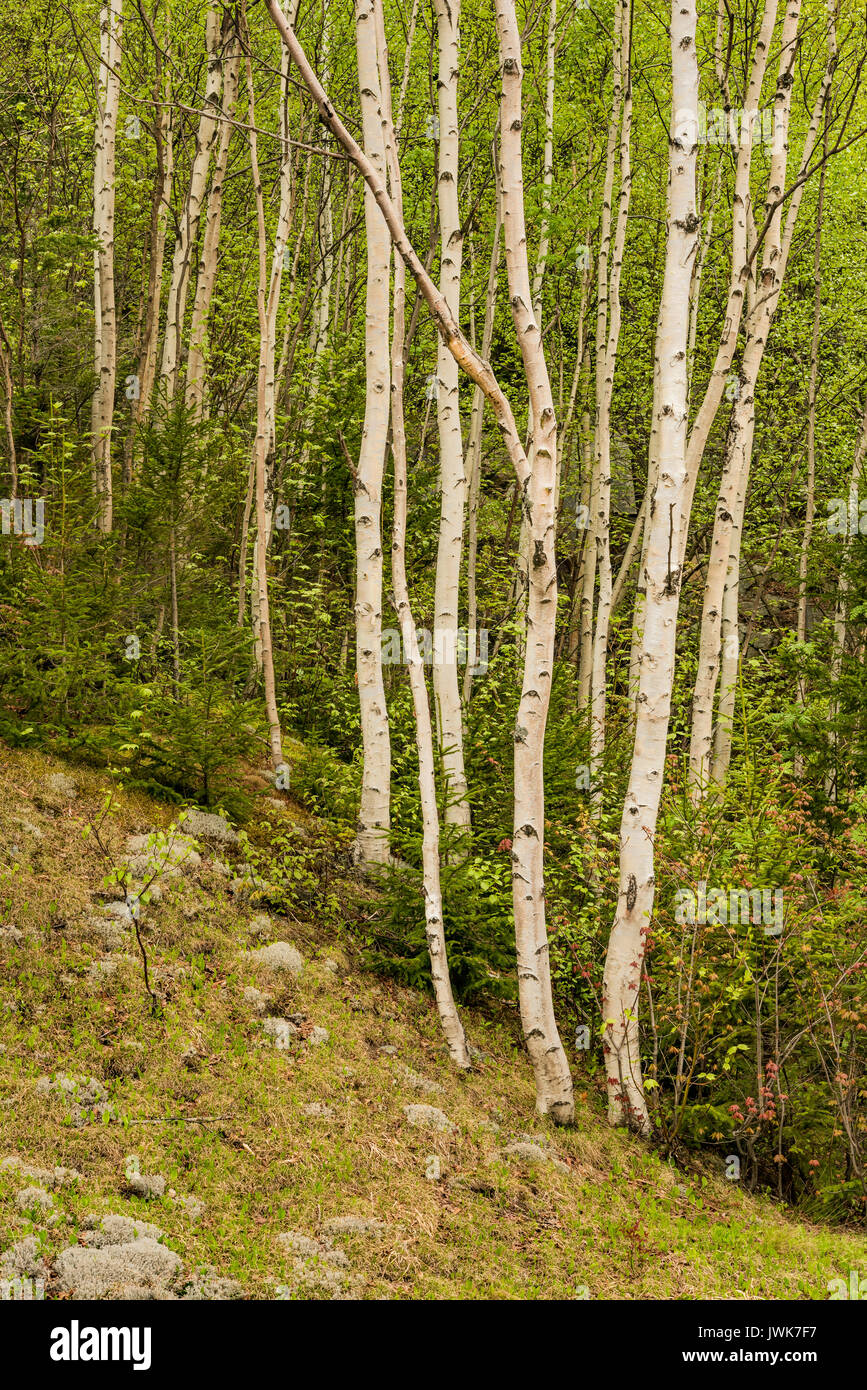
[(290, 1127)]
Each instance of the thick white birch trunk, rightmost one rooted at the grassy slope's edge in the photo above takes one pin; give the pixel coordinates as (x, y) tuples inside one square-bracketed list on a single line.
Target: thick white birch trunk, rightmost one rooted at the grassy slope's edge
[(625, 961)]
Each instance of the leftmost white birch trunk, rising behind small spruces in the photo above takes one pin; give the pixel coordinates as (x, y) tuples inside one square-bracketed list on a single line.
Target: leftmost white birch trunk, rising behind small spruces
[(105, 345)]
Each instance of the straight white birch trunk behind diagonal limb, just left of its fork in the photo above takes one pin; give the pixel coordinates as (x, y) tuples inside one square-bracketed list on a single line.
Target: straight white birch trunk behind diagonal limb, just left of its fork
[(452, 476)]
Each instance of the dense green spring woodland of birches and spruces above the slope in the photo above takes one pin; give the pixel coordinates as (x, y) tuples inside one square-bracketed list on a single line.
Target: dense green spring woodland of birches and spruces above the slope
[(188, 370)]
